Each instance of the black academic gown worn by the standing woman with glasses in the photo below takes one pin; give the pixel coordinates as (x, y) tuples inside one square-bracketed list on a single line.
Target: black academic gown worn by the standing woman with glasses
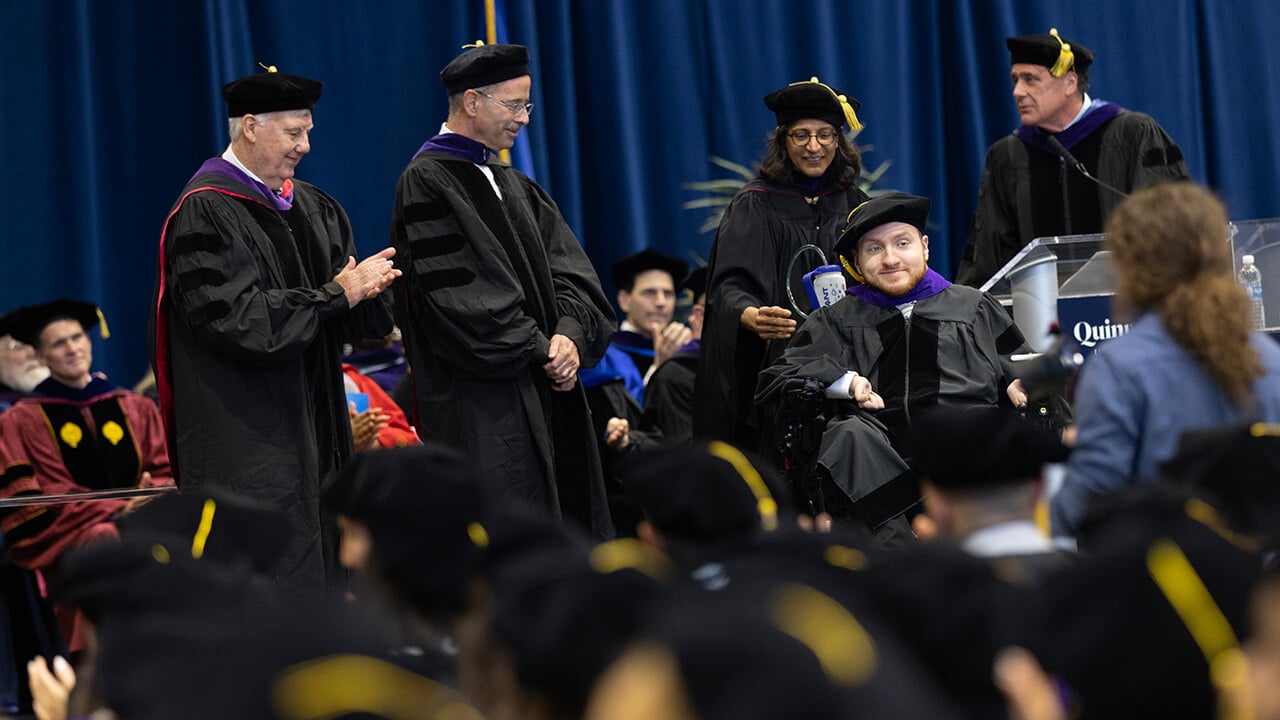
[(764, 229)]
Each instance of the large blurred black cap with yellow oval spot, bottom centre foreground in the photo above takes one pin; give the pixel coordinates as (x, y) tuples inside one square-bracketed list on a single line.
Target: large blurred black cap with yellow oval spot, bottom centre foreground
[(776, 649)]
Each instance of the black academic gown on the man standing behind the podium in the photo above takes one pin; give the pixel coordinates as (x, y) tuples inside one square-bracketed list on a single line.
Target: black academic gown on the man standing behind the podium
[(1021, 195)]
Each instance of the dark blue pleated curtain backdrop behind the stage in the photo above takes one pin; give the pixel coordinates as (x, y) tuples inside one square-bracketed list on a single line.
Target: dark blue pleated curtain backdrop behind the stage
[(108, 107)]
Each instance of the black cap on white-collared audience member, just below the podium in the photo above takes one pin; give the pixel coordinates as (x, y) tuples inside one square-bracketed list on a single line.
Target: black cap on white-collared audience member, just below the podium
[(980, 448)]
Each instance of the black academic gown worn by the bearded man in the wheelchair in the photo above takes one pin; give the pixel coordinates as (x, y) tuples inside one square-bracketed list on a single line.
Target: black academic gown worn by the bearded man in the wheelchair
[(952, 353)]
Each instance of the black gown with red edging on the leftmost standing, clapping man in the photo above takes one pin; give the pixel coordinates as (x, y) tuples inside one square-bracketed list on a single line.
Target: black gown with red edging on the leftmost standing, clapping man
[(249, 338)]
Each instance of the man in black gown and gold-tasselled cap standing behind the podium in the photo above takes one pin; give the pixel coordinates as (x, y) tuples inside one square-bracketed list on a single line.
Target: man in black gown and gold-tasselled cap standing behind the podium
[(1068, 166)]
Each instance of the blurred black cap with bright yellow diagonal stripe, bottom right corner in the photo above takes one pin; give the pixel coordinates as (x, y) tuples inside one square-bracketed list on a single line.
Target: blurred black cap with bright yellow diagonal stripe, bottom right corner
[(1145, 630)]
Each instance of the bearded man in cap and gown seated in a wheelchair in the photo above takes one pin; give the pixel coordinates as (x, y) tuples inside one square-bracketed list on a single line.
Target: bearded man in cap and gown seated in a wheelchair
[(902, 341)]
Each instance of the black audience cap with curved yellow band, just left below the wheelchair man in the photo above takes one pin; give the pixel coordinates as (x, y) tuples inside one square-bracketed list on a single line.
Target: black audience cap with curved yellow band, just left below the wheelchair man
[(702, 493)]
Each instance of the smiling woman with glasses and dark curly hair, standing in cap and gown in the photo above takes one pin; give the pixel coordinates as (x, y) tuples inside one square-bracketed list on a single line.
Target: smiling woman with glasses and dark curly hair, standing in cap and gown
[(807, 185)]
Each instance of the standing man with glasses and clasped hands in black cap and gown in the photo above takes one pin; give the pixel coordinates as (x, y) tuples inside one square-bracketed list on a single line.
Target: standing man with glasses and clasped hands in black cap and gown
[(500, 307)]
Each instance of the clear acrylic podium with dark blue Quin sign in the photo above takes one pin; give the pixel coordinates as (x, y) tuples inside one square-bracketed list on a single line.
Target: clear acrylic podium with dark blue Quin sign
[(1069, 280)]
